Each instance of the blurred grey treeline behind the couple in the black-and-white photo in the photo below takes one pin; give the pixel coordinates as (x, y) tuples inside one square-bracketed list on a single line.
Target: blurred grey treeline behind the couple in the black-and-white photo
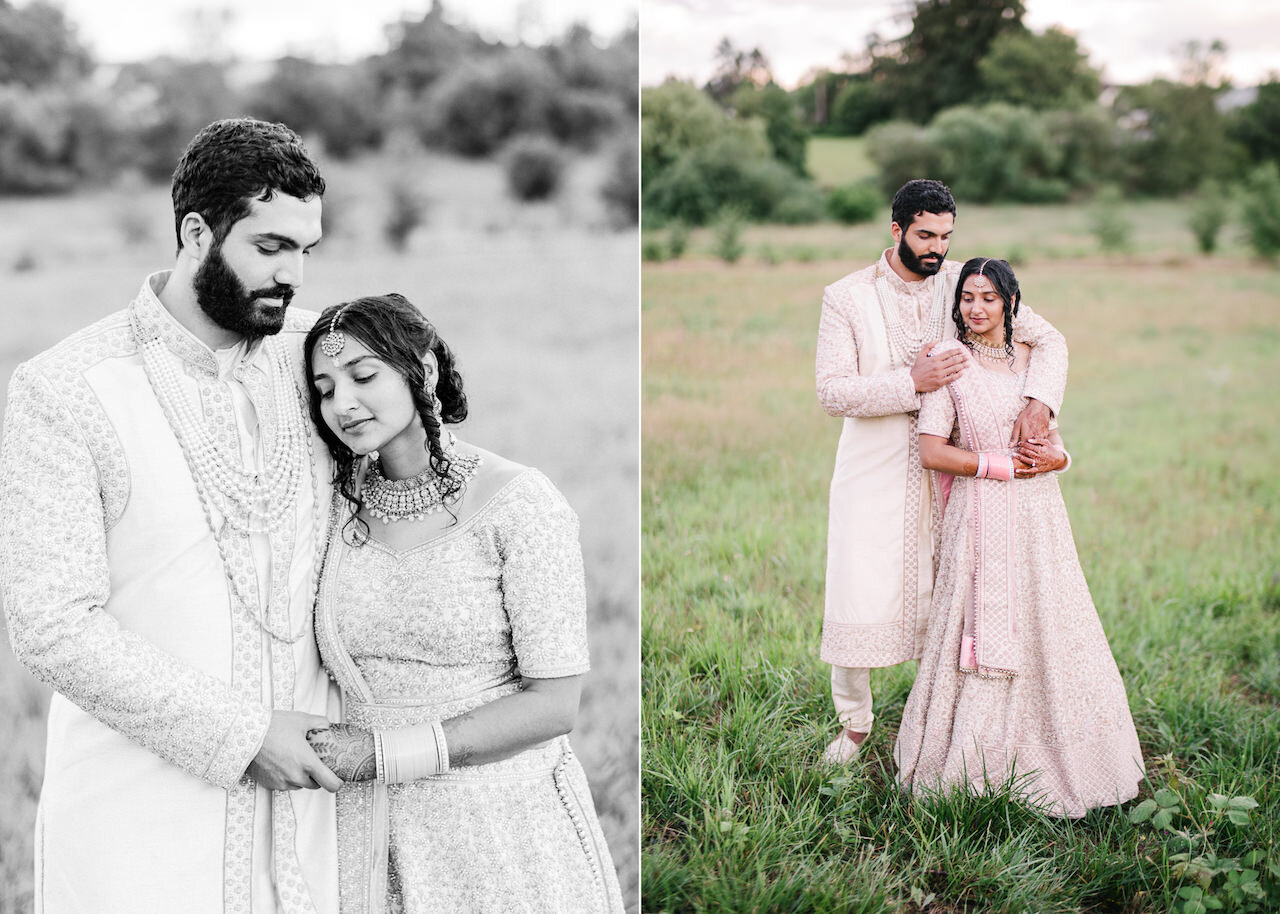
[(66, 121)]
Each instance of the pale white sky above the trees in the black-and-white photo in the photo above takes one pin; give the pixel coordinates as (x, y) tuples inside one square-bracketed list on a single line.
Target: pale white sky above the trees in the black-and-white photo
[(120, 31)]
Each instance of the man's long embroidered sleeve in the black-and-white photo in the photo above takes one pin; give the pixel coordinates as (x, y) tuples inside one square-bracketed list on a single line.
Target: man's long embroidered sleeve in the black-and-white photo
[(56, 583)]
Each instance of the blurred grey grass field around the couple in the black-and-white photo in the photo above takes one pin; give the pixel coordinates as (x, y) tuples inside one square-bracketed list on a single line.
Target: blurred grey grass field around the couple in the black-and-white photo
[(540, 304)]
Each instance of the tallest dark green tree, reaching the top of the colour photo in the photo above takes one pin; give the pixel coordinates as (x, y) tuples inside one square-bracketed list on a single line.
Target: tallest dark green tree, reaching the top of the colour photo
[(936, 66)]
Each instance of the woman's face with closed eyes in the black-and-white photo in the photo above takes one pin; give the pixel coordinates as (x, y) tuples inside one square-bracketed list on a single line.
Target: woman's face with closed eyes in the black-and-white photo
[(364, 401)]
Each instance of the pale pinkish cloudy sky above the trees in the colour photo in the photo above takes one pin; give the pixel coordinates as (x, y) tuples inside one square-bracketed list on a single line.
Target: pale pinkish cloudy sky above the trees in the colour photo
[(1131, 40)]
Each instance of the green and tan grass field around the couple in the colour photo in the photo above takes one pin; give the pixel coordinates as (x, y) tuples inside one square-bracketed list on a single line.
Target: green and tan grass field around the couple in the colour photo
[(1176, 505)]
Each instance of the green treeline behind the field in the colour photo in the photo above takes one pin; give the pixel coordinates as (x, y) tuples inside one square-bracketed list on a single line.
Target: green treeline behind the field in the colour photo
[(971, 97)]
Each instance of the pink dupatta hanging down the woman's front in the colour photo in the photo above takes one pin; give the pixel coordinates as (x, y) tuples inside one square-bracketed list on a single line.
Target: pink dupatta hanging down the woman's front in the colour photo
[(990, 643)]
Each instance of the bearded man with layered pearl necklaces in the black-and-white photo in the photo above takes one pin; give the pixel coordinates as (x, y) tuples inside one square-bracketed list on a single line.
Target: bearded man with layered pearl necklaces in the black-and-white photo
[(163, 499)]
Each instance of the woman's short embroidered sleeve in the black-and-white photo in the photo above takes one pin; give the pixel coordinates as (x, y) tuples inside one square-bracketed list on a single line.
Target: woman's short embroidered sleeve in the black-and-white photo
[(543, 583)]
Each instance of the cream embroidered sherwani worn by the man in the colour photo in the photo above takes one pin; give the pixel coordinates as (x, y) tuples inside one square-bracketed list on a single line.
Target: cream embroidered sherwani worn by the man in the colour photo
[(883, 517)]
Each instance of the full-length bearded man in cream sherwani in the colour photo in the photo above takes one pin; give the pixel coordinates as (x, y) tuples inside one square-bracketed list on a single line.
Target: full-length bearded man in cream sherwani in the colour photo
[(874, 363)]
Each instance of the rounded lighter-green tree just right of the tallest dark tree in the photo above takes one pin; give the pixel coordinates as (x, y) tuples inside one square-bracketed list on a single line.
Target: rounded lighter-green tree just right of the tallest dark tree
[(1039, 71)]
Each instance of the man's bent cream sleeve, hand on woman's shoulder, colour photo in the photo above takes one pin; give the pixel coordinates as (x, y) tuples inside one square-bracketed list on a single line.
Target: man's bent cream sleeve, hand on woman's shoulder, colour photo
[(844, 392)]
